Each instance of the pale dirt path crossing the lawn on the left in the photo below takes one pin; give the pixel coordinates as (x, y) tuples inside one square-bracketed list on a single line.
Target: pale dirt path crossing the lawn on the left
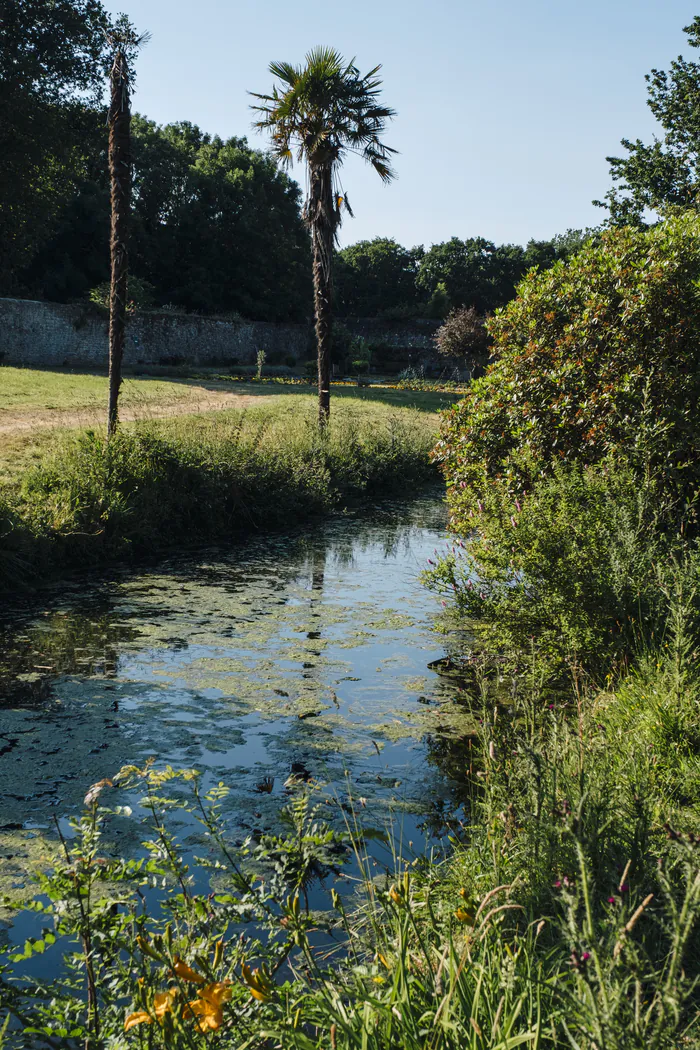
[(199, 400)]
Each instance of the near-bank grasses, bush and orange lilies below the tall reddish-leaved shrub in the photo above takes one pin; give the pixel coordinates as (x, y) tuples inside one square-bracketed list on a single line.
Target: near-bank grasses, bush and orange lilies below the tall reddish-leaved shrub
[(567, 914)]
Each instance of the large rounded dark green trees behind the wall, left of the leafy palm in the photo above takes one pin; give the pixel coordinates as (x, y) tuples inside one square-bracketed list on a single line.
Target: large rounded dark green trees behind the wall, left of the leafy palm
[(216, 228)]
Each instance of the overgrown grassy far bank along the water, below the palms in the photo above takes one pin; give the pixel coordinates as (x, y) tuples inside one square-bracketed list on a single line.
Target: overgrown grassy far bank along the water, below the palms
[(78, 501)]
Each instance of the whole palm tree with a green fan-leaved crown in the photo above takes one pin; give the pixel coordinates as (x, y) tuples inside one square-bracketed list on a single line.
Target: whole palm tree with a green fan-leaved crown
[(322, 112)]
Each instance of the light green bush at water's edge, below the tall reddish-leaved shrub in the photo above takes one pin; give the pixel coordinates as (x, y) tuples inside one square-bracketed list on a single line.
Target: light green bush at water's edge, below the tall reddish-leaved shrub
[(581, 563)]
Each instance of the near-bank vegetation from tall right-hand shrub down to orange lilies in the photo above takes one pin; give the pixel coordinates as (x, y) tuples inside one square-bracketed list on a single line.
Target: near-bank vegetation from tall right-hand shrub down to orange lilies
[(566, 914)]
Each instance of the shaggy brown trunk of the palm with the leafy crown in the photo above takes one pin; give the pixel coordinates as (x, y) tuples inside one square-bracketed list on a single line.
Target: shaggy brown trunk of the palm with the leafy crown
[(322, 216)]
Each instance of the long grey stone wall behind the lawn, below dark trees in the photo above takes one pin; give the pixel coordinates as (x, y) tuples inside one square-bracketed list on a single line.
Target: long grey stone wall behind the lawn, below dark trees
[(51, 335)]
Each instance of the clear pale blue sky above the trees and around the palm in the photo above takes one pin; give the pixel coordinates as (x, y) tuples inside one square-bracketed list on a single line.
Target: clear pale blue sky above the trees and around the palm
[(506, 110)]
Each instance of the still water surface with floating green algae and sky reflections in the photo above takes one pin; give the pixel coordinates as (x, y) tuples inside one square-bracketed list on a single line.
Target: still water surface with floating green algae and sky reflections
[(308, 653)]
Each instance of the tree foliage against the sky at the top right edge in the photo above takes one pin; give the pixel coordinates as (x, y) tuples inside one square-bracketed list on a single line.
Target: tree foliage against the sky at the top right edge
[(665, 175)]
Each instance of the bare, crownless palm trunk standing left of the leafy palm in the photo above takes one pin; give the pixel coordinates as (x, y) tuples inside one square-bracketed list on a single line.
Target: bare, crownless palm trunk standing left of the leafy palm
[(120, 177)]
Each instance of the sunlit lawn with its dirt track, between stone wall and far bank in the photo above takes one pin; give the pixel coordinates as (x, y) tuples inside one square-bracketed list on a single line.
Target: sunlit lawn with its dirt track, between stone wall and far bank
[(40, 411)]
